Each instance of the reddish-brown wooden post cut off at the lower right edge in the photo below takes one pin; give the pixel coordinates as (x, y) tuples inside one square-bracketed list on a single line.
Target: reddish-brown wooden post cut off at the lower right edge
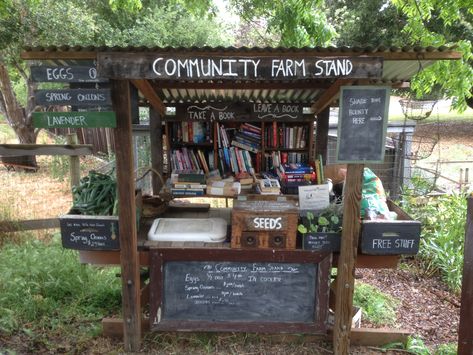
[(465, 335)]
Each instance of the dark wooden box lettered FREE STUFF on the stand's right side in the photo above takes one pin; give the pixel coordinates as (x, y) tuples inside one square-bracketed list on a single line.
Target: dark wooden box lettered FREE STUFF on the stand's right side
[(390, 237)]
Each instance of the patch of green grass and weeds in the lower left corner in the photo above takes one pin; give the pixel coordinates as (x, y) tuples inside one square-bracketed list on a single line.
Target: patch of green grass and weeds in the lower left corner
[(44, 288)]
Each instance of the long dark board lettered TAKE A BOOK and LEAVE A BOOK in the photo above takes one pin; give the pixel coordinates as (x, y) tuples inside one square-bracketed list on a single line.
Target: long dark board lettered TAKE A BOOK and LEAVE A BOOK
[(242, 112)]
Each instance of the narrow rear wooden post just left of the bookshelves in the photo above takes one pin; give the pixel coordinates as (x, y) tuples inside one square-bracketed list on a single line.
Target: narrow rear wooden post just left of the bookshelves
[(156, 140)]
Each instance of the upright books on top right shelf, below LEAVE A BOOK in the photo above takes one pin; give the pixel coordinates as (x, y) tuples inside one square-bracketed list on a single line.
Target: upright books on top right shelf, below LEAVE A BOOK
[(287, 137)]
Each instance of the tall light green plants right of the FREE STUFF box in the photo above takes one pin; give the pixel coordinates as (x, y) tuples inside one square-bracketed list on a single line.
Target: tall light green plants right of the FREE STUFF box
[(442, 237)]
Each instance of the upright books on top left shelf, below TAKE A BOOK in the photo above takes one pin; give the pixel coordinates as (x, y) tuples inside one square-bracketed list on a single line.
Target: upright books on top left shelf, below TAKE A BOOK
[(190, 132)]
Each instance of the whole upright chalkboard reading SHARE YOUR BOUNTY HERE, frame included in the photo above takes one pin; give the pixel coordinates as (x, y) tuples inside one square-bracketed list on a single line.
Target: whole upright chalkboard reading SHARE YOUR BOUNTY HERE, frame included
[(362, 123)]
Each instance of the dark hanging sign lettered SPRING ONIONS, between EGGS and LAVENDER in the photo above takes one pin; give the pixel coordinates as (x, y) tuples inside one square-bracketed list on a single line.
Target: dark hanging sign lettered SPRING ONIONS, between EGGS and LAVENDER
[(73, 97)]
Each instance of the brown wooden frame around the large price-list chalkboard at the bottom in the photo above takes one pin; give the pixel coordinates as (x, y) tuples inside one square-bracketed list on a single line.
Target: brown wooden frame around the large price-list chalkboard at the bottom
[(159, 257)]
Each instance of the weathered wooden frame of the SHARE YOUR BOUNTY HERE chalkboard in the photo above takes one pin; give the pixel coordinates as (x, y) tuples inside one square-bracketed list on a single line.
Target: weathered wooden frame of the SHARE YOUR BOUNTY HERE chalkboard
[(340, 135)]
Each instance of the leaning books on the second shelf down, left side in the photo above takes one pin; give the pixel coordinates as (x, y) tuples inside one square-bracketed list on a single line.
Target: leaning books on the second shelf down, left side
[(192, 160)]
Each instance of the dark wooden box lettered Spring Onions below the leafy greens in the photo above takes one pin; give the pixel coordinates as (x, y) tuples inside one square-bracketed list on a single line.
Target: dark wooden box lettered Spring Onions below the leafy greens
[(84, 232)]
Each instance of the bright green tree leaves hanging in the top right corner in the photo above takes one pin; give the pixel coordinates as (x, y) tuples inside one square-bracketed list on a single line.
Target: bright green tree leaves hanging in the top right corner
[(434, 23)]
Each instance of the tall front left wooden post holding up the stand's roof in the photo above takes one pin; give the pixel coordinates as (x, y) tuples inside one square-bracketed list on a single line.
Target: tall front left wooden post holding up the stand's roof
[(127, 217)]
